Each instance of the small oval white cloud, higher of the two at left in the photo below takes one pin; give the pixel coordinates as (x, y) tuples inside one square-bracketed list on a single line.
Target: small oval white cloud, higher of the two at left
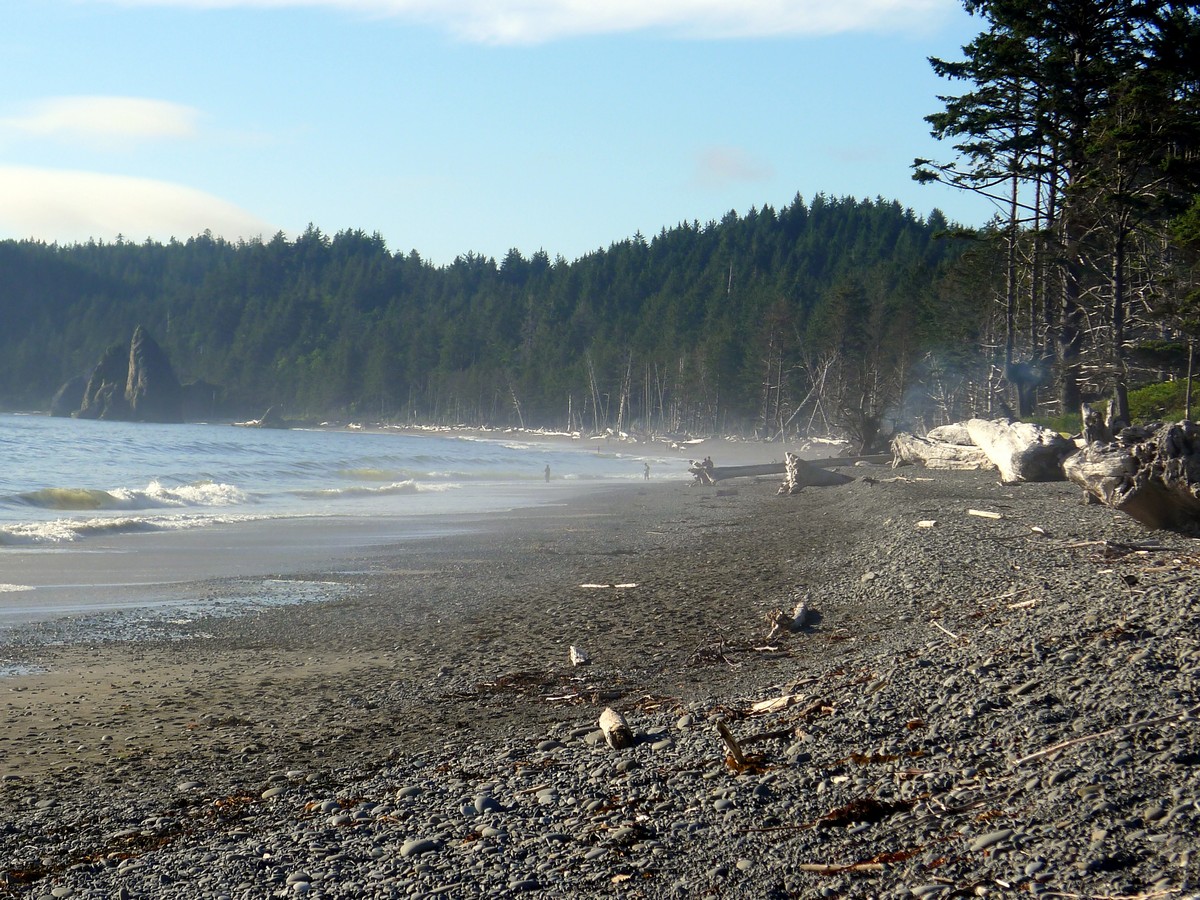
[(104, 121)]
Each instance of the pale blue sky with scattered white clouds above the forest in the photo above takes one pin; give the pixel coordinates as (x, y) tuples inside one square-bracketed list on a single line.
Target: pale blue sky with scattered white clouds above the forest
[(461, 125)]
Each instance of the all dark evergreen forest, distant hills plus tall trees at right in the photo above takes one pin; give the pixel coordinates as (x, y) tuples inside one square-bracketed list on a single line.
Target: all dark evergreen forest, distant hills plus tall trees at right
[(1081, 121)]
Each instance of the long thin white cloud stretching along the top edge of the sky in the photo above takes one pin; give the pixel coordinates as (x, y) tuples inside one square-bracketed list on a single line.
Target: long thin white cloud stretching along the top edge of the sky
[(541, 21)]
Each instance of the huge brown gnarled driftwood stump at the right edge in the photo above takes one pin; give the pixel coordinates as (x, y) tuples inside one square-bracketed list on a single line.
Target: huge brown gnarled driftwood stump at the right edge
[(1156, 481)]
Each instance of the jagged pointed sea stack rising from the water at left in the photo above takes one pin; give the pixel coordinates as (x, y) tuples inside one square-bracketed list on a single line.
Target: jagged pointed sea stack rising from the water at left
[(134, 385)]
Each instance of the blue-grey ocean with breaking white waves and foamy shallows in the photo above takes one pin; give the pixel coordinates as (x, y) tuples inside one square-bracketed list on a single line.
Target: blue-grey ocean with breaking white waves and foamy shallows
[(115, 517)]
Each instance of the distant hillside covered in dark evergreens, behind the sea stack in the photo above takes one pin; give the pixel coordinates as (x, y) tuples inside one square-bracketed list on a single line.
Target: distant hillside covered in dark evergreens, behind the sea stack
[(819, 313)]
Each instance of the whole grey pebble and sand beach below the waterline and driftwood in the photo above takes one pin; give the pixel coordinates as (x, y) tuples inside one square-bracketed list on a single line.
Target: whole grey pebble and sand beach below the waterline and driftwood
[(994, 694)]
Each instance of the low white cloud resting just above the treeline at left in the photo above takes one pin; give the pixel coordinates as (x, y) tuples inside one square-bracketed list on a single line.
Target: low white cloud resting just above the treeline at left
[(70, 207)]
